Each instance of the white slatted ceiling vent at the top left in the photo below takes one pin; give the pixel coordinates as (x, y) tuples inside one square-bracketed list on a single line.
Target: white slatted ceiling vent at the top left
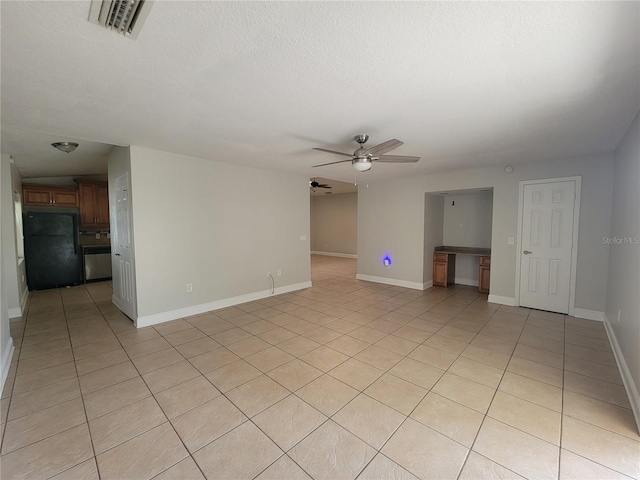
[(122, 16)]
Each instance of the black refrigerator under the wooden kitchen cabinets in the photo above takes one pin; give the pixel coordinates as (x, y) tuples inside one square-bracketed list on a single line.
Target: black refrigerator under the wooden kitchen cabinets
[(52, 253)]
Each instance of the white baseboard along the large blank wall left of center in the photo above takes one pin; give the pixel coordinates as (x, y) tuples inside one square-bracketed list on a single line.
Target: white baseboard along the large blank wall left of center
[(147, 320)]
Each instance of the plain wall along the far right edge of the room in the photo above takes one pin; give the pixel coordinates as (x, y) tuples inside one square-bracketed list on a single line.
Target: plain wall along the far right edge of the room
[(624, 258)]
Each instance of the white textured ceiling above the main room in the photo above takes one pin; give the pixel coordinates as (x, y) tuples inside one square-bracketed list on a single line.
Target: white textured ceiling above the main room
[(261, 83)]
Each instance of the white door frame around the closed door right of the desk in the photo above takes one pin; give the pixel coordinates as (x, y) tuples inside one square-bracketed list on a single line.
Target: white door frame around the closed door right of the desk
[(574, 246)]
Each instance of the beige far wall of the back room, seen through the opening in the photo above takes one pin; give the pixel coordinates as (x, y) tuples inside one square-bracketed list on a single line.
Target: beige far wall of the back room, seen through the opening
[(334, 223)]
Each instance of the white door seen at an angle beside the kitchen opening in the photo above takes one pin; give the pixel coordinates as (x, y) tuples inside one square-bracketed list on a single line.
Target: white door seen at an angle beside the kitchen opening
[(123, 271)]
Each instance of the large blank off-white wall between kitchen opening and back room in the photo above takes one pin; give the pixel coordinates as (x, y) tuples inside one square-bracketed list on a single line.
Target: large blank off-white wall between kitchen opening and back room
[(218, 226)]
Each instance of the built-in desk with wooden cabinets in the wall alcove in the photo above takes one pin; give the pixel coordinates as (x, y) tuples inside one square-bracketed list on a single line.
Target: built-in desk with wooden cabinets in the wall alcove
[(444, 265)]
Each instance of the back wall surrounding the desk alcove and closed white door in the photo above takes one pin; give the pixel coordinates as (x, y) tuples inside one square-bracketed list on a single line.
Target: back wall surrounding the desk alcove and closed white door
[(391, 216)]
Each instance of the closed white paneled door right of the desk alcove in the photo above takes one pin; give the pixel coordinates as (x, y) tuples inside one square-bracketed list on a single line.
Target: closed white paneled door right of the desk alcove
[(547, 243)]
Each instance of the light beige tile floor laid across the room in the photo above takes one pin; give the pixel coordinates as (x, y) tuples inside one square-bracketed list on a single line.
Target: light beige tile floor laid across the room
[(344, 380)]
